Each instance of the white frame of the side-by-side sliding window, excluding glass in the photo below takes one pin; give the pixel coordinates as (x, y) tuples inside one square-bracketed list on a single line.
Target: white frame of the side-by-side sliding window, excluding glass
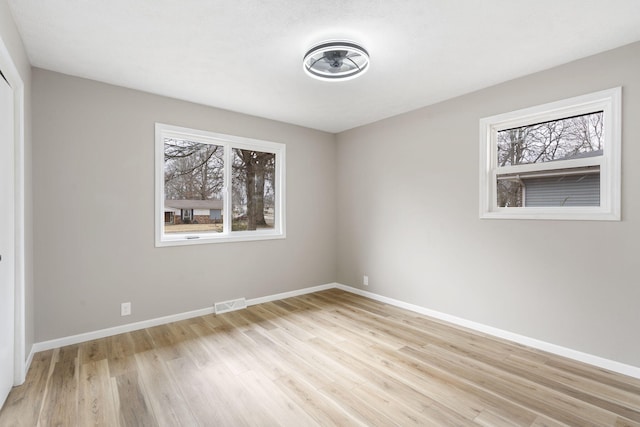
[(229, 142)]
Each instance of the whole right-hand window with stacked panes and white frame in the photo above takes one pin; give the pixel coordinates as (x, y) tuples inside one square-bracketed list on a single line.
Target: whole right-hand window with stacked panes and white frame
[(554, 161)]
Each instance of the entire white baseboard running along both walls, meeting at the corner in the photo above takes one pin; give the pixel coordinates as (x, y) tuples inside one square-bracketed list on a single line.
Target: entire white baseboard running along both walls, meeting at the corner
[(611, 365)]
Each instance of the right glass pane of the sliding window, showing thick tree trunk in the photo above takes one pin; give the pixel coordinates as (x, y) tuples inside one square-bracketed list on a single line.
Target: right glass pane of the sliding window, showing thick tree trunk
[(253, 190)]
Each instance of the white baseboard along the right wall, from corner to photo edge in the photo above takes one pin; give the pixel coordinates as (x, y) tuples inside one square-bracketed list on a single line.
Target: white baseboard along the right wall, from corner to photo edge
[(611, 365)]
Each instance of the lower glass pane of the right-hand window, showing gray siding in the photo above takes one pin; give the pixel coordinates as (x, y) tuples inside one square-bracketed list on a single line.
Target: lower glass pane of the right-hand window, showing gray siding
[(563, 187)]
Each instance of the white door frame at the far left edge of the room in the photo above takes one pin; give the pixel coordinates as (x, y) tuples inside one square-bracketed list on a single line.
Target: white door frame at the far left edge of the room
[(17, 85)]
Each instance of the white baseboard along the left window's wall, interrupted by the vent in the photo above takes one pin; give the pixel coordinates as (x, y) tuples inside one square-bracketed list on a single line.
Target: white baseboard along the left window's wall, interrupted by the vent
[(130, 327)]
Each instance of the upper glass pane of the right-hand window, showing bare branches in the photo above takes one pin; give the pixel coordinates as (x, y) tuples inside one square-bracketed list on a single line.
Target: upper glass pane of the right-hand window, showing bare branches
[(563, 139)]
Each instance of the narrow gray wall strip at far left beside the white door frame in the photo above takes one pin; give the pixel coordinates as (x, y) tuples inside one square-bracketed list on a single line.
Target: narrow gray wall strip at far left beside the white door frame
[(13, 42)]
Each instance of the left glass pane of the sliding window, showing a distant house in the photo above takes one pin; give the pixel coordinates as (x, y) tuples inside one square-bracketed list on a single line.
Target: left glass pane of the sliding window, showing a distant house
[(193, 183)]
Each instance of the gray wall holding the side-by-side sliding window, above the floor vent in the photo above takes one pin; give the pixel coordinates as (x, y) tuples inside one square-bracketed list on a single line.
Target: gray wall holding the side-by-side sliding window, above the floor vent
[(93, 178)]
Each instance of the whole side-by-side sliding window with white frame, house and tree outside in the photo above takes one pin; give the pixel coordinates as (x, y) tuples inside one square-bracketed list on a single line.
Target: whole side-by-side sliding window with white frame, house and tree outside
[(217, 188)]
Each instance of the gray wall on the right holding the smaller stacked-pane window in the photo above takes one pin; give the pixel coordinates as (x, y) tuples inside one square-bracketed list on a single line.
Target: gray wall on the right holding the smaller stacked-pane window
[(408, 217)]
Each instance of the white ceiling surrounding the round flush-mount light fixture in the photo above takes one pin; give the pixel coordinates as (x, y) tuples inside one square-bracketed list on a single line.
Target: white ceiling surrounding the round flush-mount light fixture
[(246, 55)]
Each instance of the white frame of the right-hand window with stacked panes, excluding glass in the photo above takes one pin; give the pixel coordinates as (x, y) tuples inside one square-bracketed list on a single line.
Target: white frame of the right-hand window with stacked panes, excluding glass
[(609, 101)]
